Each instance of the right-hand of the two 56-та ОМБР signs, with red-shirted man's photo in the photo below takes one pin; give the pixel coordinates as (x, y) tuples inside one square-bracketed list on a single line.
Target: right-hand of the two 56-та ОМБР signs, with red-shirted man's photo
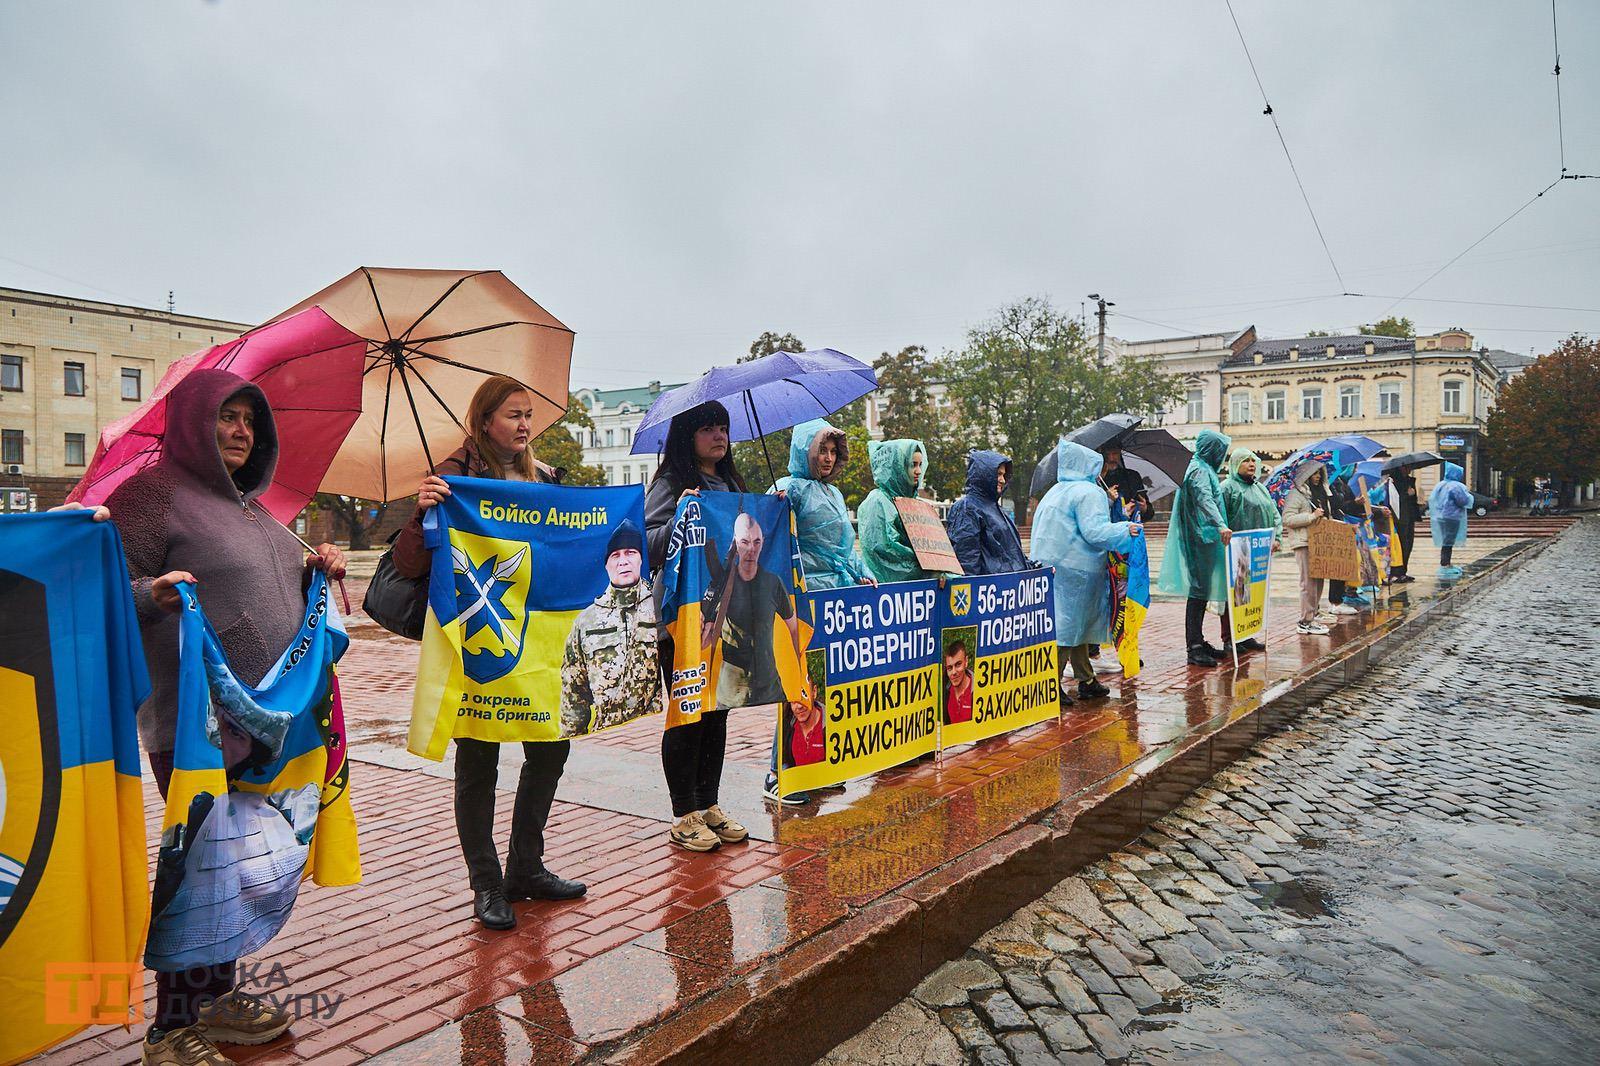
[(999, 655)]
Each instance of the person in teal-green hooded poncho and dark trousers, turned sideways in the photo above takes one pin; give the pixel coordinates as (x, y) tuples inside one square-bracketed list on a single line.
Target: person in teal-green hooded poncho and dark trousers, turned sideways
[(1193, 563)]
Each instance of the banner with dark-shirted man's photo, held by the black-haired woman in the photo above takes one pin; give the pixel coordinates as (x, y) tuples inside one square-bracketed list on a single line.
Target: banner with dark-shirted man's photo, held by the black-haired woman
[(730, 583)]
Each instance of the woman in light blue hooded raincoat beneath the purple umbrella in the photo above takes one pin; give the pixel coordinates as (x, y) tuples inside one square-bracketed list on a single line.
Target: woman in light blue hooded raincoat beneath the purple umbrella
[(828, 543)]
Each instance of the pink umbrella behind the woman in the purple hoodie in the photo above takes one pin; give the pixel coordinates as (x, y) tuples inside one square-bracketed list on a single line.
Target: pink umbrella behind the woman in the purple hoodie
[(308, 366)]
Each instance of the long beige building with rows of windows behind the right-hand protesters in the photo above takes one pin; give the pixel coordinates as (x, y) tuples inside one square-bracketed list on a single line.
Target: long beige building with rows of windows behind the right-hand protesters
[(1414, 395)]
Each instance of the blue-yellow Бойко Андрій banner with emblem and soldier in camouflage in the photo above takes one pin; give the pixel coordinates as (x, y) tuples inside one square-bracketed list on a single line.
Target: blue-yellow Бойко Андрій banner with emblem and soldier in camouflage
[(540, 617)]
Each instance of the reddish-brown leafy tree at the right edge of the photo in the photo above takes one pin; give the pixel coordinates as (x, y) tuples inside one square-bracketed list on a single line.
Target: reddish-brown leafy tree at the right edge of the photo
[(1546, 420)]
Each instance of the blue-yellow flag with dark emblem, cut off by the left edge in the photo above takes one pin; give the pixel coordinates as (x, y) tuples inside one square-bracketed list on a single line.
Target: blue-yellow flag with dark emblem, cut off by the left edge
[(74, 899)]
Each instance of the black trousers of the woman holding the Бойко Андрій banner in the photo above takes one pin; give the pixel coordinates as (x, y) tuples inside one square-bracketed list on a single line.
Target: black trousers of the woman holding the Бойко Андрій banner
[(478, 771)]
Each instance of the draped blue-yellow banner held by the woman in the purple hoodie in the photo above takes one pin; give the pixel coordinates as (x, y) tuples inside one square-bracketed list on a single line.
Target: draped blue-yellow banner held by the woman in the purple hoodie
[(260, 796)]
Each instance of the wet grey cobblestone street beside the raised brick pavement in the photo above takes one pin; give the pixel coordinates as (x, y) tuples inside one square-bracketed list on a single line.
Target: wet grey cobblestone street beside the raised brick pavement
[(1409, 875)]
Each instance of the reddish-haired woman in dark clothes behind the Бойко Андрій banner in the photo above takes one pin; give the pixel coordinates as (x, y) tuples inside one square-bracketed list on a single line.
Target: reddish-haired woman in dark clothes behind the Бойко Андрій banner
[(500, 446)]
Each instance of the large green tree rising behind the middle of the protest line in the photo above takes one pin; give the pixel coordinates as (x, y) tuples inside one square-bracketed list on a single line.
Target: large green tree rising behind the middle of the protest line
[(1030, 374)]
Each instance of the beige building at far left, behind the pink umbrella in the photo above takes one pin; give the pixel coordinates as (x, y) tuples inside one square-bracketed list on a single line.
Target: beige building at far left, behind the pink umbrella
[(68, 369)]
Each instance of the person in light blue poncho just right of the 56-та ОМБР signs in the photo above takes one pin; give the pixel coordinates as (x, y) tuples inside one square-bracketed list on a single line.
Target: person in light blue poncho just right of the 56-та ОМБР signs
[(1073, 532)]
